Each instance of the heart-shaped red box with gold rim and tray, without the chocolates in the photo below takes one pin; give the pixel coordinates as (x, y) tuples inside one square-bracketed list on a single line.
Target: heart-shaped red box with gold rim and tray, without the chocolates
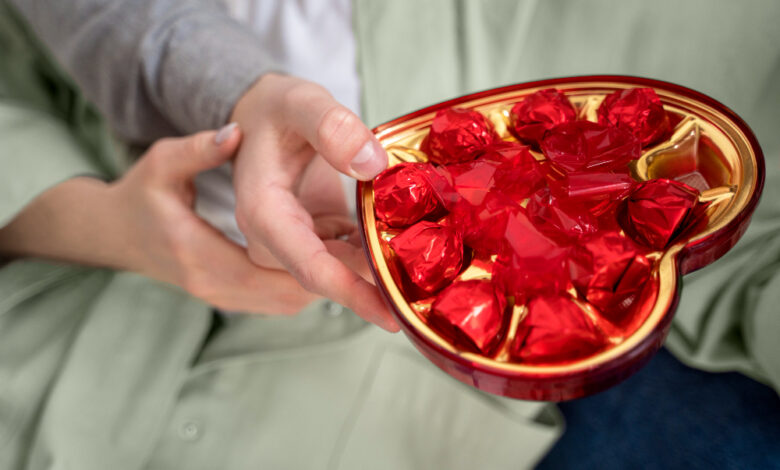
[(708, 144)]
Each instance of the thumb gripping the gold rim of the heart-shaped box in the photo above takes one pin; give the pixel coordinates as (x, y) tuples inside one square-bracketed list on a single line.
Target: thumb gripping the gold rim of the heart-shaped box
[(335, 132)]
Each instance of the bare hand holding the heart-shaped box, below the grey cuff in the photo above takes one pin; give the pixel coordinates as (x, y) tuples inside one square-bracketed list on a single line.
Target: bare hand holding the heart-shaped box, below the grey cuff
[(287, 190)]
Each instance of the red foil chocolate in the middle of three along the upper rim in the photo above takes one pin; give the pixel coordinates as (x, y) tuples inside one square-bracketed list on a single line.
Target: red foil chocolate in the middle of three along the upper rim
[(539, 112)]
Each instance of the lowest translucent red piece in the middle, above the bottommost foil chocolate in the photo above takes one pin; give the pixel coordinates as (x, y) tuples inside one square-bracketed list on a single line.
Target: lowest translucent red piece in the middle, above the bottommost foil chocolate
[(530, 262)]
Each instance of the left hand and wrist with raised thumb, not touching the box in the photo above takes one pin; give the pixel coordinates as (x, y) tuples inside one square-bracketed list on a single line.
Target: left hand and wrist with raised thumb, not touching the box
[(145, 222)]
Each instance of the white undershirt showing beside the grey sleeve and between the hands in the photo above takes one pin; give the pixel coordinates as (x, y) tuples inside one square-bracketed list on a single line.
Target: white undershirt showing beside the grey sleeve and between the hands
[(311, 39)]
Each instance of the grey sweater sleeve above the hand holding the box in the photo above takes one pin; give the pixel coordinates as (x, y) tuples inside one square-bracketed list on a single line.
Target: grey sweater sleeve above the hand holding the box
[(153, 67)]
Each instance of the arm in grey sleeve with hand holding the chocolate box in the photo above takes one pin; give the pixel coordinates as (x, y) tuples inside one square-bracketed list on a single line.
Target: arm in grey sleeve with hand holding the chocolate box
[(187, 64)]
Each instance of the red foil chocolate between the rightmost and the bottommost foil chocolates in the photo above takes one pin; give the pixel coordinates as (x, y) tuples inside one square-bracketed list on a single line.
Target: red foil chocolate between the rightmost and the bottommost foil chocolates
[(610, 271)]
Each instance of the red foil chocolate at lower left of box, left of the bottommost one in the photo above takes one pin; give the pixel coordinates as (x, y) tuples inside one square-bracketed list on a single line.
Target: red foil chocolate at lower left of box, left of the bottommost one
[(471, 312)]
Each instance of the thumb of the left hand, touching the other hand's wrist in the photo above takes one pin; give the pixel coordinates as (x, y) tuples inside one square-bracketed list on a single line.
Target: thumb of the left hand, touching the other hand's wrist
[(183, 158)]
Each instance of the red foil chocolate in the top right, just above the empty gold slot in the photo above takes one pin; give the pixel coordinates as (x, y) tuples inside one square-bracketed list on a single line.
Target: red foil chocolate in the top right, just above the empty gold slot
[(637, 109)]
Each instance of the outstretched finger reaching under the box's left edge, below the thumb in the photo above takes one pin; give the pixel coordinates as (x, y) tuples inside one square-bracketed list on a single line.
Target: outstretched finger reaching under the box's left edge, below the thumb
[(291, 238)]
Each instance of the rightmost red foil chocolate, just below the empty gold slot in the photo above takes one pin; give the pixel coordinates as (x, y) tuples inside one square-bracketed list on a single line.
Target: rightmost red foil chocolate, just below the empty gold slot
[(657, 211)]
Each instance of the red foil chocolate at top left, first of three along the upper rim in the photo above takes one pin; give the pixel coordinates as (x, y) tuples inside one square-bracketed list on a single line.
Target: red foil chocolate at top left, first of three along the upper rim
[(457, 135)]
